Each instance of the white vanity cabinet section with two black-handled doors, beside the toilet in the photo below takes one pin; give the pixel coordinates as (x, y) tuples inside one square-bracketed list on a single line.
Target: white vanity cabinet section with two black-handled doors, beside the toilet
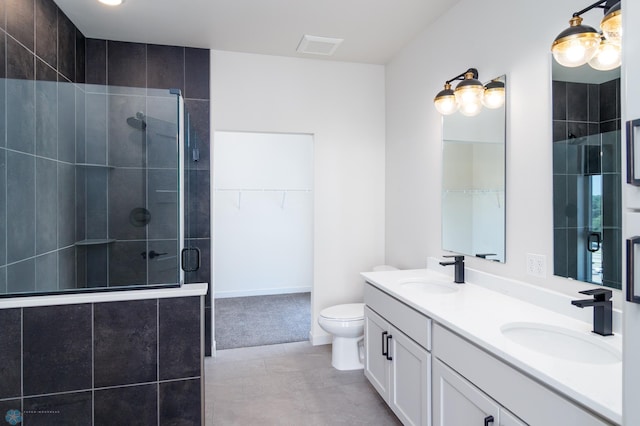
[(397, 360)]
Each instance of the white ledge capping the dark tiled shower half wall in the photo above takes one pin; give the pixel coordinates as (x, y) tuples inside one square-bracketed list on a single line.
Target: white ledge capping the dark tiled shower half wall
[(186, 290)]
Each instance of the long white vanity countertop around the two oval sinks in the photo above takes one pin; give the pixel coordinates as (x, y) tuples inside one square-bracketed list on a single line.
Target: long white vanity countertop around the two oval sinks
[(477, 314)]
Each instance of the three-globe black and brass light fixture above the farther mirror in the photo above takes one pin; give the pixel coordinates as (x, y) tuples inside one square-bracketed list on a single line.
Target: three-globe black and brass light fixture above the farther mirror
[(469, 95)]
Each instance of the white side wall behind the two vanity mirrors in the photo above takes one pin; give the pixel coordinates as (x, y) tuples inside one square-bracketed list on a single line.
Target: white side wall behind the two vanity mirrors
[(496, 37)]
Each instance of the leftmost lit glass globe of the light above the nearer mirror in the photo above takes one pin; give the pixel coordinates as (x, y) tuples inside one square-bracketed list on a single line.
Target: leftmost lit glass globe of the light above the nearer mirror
[(576, 45)]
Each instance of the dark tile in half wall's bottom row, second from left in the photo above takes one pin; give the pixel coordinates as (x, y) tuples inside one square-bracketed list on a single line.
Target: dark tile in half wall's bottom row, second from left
[(60, 409)]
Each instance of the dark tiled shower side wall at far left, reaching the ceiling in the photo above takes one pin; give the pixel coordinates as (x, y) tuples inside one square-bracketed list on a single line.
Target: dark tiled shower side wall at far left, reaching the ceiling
[(42, 55)]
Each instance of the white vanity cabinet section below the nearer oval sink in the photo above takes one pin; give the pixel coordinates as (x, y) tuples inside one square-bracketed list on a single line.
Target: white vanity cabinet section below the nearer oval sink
[(470, 385)]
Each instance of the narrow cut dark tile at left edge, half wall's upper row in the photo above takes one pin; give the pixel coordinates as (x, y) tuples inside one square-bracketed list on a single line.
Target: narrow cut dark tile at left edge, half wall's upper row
[(10, 353)]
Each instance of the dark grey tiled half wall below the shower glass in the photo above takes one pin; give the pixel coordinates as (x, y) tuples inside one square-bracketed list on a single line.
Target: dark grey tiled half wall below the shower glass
[(132, 362)]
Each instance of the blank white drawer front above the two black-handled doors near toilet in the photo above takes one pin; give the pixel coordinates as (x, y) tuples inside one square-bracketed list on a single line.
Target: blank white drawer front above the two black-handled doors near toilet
[(411, 322)]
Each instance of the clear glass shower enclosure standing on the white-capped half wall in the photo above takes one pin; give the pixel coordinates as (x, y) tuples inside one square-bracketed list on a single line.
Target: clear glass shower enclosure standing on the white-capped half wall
[(92, 188)]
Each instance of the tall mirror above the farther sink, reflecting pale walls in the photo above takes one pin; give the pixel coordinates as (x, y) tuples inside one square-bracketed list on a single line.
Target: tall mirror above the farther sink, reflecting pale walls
[(473, 183)]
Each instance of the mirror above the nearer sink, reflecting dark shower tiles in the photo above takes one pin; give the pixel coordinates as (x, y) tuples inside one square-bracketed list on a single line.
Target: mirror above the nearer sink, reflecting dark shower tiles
[(586, 175)]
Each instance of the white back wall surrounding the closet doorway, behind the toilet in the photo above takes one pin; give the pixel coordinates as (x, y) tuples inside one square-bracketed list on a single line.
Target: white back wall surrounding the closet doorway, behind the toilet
[(342, 105)]
